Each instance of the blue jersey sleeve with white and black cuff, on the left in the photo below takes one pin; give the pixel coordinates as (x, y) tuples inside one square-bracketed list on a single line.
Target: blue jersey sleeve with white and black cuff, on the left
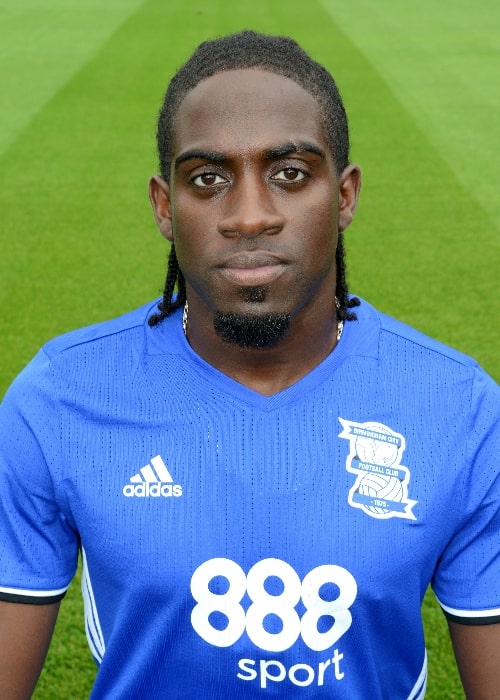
[(38, 546)]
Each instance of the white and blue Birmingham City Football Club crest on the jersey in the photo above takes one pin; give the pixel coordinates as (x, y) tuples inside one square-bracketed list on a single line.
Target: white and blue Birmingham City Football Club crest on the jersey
[(381, 485)]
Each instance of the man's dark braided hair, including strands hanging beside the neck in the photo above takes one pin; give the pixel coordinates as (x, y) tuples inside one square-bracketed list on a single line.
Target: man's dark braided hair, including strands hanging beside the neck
[(277, 54)]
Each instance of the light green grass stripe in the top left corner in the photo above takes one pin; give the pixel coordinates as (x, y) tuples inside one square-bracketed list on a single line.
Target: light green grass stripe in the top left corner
[(42, 44)]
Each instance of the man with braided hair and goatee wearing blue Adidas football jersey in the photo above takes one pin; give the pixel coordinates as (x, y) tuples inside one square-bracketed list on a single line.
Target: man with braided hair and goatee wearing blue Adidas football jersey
[(263, 473)]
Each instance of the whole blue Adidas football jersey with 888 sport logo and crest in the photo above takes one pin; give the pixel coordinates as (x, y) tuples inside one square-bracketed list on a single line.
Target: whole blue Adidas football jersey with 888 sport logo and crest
[(237, 545)]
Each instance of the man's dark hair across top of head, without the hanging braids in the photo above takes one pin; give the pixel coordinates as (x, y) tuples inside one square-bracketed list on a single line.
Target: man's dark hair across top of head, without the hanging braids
[(275, 54)]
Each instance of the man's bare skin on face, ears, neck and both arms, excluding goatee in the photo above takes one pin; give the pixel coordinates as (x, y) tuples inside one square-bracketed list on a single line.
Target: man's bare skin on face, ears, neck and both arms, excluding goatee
[(253, 186)]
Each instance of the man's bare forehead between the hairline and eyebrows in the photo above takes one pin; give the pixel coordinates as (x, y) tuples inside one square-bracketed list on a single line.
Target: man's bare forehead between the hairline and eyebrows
[(240, 110)]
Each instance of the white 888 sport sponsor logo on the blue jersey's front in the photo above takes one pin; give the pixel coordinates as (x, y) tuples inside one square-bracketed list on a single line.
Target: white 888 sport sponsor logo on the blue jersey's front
[(276, 609)]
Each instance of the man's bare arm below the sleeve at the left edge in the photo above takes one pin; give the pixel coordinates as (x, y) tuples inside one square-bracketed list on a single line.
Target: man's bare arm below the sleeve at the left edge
[(25, 633)]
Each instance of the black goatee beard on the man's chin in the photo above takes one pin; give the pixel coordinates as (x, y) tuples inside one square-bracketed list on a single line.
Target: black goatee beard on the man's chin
[(252, 330)]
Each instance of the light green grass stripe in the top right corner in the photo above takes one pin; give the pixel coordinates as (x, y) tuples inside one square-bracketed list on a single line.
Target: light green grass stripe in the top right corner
[(443, 62)]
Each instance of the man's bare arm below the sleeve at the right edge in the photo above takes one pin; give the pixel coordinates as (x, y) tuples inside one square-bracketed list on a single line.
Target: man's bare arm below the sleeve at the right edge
[(477, 651)]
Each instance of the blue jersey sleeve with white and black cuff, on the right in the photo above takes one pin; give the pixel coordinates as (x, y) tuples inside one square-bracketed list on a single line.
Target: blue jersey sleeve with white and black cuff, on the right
[(467, 580)]
